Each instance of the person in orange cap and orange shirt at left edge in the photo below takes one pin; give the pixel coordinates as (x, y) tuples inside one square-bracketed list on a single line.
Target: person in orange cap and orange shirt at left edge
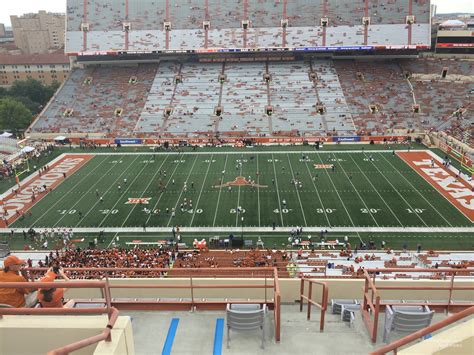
[(12, 272)]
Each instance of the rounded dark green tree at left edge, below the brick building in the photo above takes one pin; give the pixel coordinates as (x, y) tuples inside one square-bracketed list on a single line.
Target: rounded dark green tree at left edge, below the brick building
[(14, 116)]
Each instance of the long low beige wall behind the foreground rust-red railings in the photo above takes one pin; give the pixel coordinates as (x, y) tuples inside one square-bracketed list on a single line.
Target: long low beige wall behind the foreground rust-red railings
[(290, 289)]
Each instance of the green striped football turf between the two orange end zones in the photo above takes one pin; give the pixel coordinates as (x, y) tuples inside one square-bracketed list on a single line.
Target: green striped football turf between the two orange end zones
[(361, 192)]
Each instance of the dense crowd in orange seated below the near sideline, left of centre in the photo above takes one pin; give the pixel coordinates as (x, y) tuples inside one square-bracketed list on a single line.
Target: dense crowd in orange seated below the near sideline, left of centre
[(162, 257)]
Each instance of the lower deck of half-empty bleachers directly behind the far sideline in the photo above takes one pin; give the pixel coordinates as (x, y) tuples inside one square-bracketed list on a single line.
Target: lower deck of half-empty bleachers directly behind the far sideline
[(323, 97)]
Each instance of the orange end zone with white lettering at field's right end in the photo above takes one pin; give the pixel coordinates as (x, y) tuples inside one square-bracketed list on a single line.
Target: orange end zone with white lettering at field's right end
[(457, 191)]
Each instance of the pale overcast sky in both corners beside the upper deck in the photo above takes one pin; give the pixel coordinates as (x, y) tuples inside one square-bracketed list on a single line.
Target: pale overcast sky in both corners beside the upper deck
[(19, 7)]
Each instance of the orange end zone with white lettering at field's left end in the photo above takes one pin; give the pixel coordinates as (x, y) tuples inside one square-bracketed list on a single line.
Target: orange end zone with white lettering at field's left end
[(21, 199)]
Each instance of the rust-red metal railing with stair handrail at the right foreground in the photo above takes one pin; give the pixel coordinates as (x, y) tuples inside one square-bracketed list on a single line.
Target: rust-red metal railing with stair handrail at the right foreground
[(372, 302)]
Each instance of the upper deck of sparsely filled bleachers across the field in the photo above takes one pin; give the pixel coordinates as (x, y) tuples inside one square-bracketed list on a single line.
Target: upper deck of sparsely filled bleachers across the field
[(149, 25)]
